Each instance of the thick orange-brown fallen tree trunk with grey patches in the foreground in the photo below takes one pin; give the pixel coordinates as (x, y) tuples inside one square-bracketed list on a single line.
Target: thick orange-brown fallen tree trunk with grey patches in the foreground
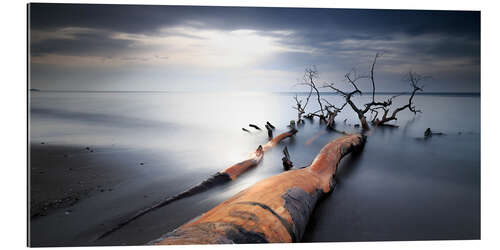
[(276, 209)]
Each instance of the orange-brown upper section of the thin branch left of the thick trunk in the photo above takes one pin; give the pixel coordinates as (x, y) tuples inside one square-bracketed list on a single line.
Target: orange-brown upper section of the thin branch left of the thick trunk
[(255, 157)]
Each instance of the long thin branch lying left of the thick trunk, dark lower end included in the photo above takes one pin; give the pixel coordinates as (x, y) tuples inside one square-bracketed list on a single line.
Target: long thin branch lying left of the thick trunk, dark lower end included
[(219, 178)]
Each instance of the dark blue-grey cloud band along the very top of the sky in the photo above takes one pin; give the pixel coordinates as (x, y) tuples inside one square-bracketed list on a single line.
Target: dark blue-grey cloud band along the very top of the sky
[(144, 18)]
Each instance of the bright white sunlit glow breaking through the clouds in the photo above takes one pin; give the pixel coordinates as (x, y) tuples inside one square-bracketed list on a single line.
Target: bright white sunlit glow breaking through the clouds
[(176, 46)]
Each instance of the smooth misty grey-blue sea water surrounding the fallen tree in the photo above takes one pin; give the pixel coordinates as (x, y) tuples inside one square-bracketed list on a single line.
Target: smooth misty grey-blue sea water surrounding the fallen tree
[(401, 187)]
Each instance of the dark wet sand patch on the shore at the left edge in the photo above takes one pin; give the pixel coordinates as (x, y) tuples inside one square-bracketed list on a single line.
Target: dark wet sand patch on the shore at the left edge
[(61, 176)]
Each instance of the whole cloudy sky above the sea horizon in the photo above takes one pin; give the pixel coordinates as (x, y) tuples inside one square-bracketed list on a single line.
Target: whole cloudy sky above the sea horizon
[(193, 48)]
